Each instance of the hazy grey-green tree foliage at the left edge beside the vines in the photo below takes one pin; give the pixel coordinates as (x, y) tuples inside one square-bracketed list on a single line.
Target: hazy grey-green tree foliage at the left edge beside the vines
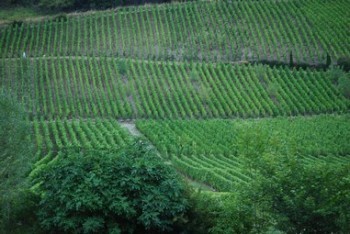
[(15, 154)]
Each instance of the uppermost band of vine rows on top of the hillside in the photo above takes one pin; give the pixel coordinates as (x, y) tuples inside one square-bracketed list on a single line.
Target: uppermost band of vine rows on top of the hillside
[(200, 31)]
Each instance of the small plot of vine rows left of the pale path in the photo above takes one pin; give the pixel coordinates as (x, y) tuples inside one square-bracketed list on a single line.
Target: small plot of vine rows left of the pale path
[(87, 133)]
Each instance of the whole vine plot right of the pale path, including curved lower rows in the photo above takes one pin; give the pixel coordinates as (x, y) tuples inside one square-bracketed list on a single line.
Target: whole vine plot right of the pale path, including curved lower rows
[(211, 151)]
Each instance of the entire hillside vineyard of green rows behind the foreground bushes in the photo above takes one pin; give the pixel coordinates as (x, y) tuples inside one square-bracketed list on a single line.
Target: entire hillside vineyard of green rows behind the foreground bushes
[(208, 85)]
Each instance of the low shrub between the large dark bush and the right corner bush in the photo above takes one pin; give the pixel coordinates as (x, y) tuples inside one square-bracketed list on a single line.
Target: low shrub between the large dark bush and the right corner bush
[(215, 212)]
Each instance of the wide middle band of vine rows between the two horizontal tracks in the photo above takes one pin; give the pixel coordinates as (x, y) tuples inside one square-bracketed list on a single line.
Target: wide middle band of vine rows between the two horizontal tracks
[(77, 87)]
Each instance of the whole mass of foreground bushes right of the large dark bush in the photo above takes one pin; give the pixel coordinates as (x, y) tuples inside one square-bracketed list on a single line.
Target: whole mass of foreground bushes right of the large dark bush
[(285, 194)]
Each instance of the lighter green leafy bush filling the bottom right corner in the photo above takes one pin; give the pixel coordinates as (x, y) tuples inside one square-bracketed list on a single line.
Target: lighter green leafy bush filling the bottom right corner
[(299, 198)]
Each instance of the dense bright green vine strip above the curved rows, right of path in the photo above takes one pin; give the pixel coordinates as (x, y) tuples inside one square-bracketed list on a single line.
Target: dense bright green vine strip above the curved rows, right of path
[(321, 135)]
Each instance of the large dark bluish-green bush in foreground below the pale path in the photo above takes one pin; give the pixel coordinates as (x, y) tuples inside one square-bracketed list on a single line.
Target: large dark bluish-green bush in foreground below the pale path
[(90, 191)]
